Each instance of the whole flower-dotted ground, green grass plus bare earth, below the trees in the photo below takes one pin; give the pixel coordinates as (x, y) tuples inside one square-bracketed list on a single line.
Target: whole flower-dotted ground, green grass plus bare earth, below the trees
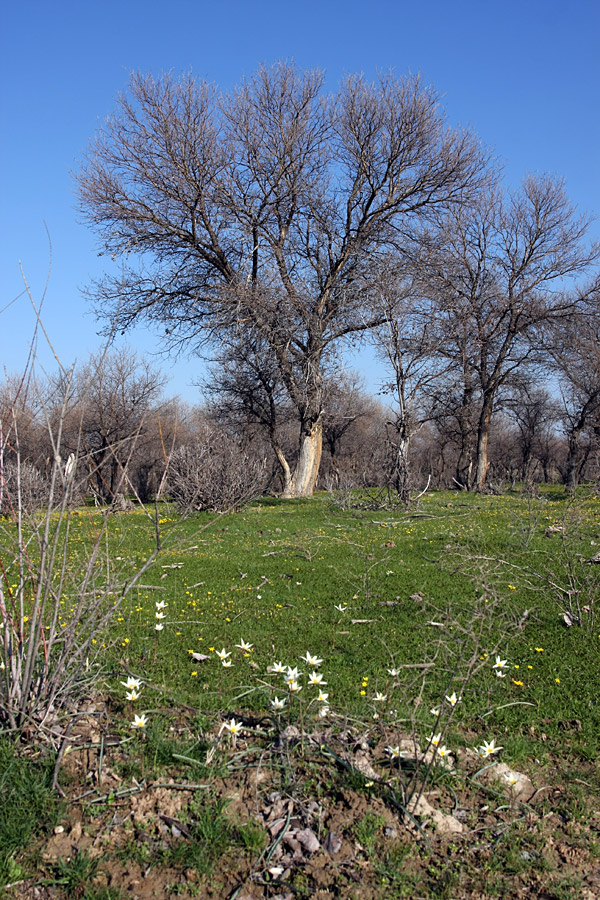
[(301, 672)]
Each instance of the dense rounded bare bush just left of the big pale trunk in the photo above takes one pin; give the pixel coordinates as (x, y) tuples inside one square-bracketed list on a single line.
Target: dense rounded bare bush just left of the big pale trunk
[(215, 473)]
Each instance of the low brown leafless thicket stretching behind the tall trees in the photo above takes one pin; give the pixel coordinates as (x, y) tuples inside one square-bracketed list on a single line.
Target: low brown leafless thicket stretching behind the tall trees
[(110, 413)]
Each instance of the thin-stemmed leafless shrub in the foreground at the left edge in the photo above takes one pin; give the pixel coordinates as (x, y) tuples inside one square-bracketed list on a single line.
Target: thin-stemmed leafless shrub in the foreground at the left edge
[(49, 648)]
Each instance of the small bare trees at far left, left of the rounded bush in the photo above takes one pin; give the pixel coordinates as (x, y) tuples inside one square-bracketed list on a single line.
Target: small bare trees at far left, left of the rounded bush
[(107, 412)]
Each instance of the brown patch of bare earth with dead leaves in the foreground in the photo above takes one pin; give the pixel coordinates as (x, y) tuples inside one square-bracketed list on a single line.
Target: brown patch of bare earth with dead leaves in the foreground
[(328, 826)]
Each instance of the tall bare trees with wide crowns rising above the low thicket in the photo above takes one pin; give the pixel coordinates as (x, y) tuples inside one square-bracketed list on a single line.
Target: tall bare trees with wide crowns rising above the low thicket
[(269, 225)]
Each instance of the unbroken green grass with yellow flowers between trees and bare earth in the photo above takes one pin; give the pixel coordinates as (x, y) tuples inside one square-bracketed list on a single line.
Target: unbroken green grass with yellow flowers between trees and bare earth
[(274, 573)]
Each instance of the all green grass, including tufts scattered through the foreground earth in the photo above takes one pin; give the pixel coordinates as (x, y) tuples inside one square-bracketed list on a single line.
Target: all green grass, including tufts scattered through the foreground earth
[(273, 575)]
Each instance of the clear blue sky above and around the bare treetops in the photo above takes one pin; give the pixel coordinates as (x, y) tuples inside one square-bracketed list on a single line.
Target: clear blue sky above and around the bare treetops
[(524, 75)]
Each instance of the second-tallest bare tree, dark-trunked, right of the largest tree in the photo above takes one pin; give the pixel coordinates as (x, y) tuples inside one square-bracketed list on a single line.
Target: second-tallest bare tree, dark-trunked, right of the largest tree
[(498, 269)]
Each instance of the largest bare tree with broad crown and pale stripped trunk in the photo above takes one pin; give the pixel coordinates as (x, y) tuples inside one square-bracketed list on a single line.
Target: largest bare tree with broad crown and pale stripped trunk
[(268, 210)]
